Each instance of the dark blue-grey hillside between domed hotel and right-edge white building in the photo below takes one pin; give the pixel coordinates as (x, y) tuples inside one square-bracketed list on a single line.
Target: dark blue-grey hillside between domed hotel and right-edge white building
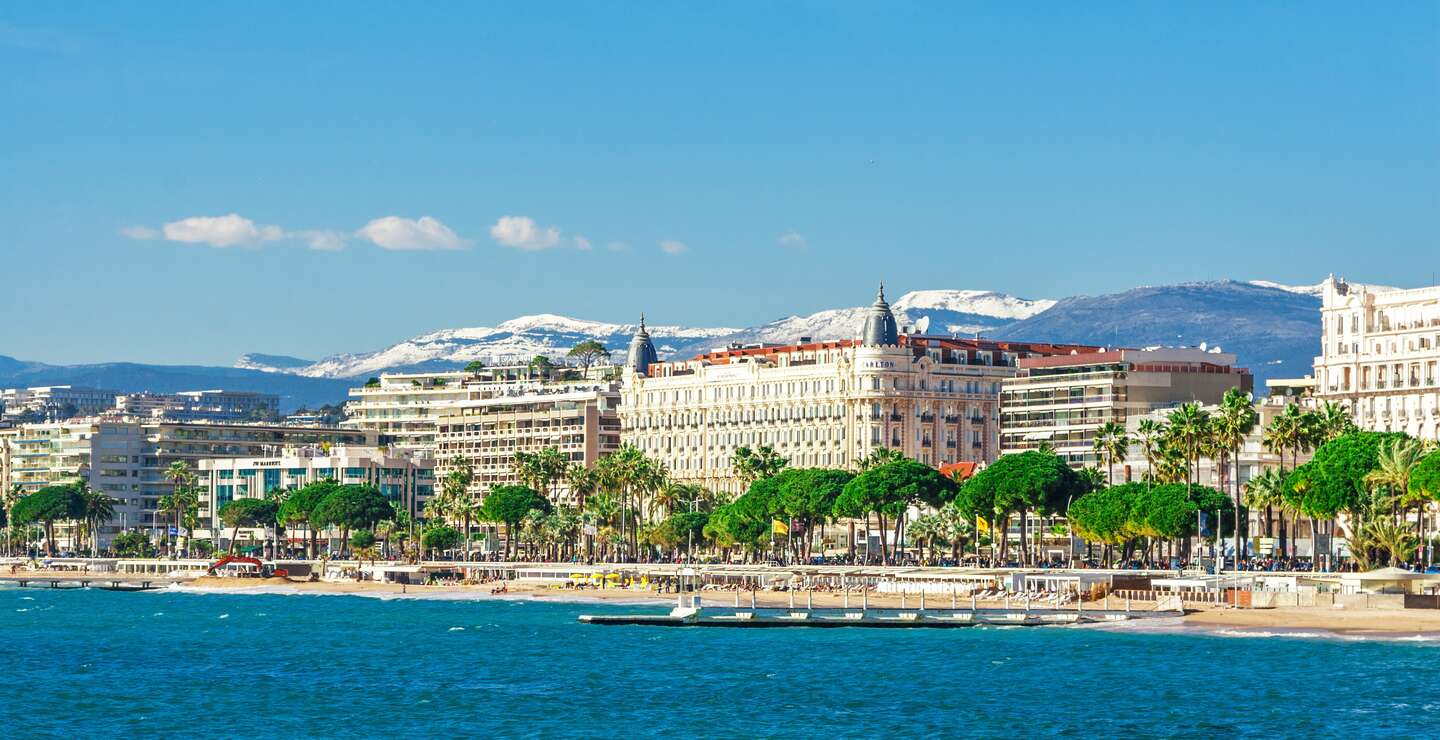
[(1274, 330)]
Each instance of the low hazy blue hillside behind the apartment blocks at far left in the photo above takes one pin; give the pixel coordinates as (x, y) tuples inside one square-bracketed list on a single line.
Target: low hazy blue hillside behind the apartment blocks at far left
[(293, 391)]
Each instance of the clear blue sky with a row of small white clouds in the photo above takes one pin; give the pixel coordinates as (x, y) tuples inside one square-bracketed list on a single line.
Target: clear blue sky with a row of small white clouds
[(395, 169)]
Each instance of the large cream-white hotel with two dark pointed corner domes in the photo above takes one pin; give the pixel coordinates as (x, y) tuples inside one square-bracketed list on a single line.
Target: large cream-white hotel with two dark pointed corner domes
[(822, 404)]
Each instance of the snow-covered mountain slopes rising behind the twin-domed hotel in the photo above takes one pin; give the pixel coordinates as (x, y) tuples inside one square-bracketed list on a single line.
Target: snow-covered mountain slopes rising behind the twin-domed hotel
[(525, 338)]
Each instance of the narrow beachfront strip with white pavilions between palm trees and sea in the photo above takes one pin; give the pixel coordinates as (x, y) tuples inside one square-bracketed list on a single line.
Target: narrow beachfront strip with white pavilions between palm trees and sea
[(1055, 585)]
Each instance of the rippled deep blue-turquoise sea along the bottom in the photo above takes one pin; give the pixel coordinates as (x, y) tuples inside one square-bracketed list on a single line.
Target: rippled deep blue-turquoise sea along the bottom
[(102, 664)]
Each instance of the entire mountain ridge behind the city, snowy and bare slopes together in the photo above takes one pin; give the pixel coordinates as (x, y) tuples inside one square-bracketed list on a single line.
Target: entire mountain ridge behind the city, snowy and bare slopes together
[(1272, 328)]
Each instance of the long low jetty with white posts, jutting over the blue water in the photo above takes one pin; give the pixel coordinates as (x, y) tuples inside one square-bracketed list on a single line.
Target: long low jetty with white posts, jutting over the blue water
[(690, 613)]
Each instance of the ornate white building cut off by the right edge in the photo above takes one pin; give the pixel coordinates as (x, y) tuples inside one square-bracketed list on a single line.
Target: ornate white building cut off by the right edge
[(1380, 356)]
